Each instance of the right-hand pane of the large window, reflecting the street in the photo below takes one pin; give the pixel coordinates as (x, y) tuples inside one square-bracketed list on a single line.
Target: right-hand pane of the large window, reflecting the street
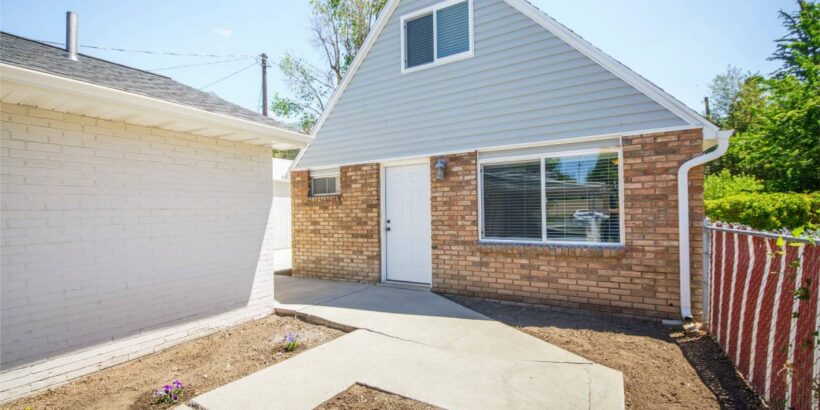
[(582, 200)]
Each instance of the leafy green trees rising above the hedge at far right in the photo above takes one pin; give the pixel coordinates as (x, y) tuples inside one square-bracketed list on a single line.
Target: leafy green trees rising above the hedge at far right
[(777, 119)]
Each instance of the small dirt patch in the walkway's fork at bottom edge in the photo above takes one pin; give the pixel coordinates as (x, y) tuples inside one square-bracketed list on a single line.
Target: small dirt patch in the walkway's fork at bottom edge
[(364, 398)]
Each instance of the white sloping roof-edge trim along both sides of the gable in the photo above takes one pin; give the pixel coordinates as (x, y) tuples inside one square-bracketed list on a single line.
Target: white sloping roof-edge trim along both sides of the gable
[(651, 91)]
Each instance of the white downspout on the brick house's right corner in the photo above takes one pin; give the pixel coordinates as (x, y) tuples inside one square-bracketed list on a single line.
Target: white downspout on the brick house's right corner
[(683, 219)]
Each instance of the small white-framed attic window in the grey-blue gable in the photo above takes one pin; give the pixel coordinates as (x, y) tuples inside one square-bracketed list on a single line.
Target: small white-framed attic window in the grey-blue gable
[(437, 35)]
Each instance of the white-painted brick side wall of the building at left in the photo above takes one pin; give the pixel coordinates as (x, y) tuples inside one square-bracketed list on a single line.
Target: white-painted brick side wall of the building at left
[(118, 240)]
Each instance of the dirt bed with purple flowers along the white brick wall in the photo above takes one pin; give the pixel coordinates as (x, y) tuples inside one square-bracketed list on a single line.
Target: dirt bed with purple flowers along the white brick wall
[(202, 364)]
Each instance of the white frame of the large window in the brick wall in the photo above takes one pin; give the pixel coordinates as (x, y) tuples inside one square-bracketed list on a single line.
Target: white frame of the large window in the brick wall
[(542, 157)]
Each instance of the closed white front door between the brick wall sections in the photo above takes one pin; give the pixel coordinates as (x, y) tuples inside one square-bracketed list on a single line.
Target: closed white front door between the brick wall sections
[(407, 236)]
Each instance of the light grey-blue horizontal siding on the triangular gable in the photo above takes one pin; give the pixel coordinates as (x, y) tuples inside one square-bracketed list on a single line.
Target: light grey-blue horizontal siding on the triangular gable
[(523, 85)]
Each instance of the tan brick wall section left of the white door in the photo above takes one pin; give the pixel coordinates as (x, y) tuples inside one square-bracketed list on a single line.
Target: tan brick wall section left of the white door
[(337, 237)]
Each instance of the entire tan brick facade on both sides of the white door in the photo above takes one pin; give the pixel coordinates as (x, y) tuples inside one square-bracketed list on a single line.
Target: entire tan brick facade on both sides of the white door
[(339, 238)]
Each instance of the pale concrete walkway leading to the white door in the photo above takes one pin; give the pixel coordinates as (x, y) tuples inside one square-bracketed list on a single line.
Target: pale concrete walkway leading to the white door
[(419, 345)]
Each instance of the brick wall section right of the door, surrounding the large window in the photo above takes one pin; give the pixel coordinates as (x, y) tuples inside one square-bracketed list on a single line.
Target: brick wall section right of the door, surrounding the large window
[(640, 279)]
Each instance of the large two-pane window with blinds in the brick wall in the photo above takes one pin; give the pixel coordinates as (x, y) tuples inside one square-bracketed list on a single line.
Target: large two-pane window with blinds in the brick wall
[(556, 198)]
